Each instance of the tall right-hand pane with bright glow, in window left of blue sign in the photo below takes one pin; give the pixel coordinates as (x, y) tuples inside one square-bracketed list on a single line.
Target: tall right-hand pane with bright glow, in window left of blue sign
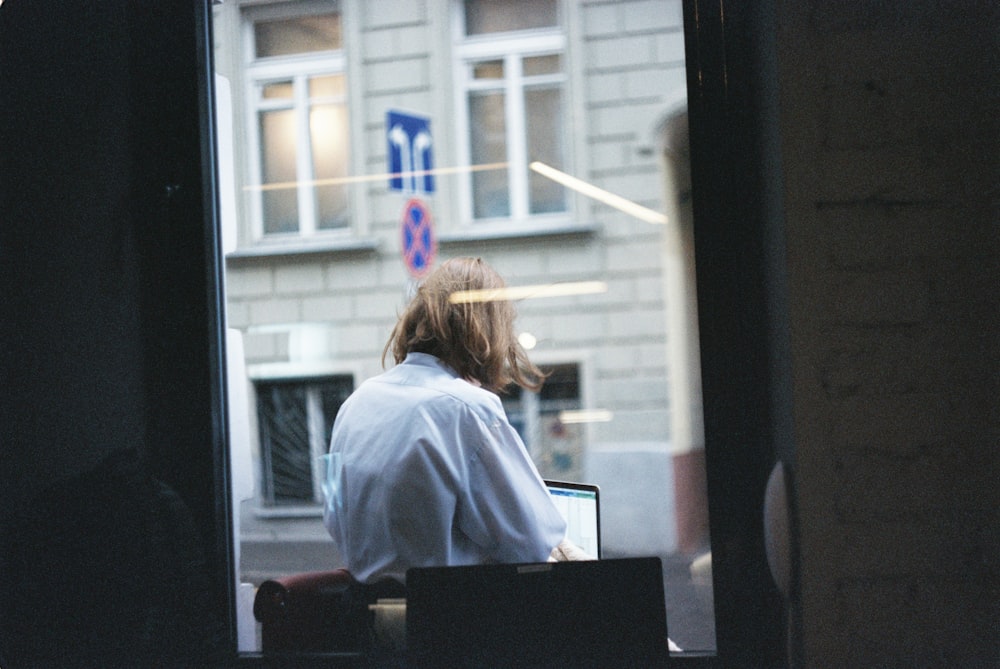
[(328, 125)]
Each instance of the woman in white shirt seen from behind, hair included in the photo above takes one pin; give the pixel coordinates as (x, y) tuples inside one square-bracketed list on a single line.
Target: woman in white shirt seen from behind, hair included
[(428, 470)]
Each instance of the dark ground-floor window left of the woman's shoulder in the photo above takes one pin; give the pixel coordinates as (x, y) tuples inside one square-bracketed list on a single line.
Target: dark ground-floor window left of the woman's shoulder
[(295, 418)]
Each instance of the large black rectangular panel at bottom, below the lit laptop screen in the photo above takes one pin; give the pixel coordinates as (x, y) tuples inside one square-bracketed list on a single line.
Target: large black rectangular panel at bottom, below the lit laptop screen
[(595, 613)]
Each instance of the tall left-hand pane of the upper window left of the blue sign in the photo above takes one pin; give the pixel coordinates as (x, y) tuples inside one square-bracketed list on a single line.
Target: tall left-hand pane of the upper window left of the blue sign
[(278, 173)]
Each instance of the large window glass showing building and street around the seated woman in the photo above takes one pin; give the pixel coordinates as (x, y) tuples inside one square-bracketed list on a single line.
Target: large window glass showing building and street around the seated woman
[(553, 138)]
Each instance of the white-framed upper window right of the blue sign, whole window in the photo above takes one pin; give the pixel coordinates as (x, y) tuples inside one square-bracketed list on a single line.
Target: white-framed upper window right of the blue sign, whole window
[(512, 80)]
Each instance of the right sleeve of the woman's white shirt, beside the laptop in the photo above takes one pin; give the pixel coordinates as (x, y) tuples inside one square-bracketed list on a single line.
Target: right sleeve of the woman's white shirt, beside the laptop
[(506, 509)]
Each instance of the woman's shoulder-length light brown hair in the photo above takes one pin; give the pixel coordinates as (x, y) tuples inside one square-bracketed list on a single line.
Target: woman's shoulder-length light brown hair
[(475, 337)]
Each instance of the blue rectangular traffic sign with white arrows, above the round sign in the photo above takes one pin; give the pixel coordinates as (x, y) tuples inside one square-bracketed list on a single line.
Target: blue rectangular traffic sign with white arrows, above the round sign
[(410, 153)]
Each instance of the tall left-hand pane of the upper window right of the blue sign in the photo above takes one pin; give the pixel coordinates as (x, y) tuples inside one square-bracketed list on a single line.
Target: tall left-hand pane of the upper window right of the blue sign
[(489, 145)]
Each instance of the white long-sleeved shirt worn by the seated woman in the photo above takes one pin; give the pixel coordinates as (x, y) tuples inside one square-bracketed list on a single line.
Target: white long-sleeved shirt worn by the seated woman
[(427, 471)]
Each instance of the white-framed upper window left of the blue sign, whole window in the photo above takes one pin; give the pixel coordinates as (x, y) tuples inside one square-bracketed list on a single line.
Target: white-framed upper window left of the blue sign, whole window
[(298, 120)]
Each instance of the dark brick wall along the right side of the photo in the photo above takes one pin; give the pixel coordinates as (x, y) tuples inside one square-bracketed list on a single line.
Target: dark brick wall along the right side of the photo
[(889, 150)]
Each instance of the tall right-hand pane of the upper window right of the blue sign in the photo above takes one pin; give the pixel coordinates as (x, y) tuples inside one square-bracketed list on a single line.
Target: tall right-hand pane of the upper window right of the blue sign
[(544, 125)]
